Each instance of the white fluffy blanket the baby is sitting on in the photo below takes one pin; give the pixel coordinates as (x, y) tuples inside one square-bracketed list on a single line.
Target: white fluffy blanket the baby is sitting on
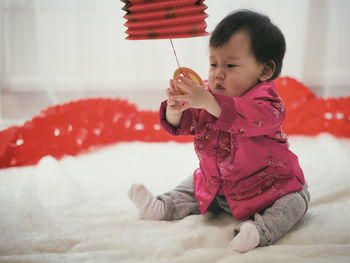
[(77, 210)]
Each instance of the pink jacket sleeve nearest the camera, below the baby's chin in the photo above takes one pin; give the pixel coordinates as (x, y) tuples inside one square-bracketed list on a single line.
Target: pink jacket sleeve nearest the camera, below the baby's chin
[(249, 115)]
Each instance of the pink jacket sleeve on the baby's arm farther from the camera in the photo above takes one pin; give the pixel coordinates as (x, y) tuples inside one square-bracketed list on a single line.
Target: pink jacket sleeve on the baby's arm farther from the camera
[(188, 121)]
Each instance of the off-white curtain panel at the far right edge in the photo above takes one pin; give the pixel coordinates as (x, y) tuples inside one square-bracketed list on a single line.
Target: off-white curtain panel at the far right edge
[(327, 54)]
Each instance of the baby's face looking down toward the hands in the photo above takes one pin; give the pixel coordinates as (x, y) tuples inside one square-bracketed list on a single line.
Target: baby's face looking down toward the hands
[(233, 67)]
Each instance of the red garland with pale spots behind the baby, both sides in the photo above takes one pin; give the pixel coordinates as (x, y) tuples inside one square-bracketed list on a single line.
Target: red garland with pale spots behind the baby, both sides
[(72, 128)]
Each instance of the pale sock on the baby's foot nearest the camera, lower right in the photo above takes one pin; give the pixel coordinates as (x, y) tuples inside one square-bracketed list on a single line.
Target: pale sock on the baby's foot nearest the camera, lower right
[(247, 239)]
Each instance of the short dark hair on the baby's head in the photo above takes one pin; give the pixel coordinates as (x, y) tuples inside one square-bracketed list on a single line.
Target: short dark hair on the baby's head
[(267, 40)]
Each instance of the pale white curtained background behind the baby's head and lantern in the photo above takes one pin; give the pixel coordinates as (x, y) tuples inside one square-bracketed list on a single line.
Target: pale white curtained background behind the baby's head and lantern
[(57, 45)]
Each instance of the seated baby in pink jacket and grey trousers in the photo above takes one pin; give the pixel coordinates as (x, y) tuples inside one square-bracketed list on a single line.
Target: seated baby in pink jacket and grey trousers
[(245, 166)]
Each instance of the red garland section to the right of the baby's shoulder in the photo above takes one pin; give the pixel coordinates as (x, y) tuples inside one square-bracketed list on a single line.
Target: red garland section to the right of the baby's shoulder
[(309, 115)]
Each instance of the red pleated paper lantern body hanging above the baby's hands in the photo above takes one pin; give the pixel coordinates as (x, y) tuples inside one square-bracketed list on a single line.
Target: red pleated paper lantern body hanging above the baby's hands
[(161, 19)]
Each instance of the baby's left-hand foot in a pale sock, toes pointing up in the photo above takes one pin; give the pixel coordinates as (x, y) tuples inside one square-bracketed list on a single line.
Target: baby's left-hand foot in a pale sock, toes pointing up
[(149, 207)]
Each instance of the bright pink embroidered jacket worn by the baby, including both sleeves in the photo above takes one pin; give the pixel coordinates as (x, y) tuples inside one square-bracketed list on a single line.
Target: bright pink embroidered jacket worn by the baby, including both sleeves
[(243, 154)]
